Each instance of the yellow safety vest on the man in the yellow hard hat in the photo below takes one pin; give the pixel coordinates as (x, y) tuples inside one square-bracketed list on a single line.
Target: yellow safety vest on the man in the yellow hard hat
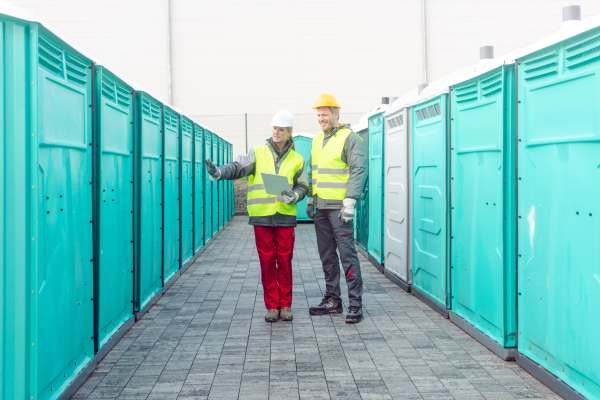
[(329, 173)]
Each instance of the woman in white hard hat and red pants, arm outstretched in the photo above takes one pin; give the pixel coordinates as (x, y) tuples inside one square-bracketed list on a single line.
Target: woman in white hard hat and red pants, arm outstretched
[(273, 217)]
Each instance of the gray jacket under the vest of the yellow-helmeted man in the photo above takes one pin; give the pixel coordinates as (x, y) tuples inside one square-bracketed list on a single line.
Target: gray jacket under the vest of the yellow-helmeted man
[(353, 154)]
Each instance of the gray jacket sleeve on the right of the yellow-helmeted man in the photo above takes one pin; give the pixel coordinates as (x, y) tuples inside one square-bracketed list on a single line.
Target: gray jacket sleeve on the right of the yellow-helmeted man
[(355, 156)]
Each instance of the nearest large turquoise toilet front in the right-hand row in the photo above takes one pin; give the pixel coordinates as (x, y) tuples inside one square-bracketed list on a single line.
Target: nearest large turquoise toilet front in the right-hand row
[(559, 210)]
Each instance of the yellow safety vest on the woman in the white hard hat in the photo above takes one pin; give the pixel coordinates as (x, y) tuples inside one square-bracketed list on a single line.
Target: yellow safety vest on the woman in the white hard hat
[(260, 203)]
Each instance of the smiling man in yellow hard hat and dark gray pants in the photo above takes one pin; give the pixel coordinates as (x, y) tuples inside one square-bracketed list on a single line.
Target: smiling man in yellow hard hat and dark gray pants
[(339, 174)]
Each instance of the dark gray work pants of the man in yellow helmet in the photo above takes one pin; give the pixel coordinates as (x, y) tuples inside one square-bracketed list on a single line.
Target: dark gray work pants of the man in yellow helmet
[(332, 235)]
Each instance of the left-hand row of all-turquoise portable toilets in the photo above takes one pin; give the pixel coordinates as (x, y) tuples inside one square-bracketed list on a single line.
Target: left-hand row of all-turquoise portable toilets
[(105, 199)]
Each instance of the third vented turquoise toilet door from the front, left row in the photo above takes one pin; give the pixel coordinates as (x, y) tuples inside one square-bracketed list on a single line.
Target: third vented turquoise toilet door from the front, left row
[(149, 210)]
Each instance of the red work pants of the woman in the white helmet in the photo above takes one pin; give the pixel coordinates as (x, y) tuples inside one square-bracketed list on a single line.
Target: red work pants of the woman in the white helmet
[(275, 245)]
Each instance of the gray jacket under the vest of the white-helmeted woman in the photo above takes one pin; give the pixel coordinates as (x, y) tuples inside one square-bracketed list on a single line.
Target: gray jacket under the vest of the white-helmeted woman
[(245, 165)]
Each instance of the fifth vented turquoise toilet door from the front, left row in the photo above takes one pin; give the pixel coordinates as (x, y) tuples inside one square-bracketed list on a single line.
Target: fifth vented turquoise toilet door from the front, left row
[(186, 186)]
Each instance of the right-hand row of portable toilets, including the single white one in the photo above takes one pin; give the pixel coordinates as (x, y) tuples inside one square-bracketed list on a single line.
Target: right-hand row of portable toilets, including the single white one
[(484, 200)]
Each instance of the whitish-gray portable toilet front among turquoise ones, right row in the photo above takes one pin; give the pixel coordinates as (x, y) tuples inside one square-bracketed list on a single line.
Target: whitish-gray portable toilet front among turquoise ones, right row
[(396, 195)]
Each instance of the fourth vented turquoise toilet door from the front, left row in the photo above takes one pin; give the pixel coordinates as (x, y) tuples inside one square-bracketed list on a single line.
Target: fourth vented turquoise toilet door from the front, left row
[(171, 242)]
